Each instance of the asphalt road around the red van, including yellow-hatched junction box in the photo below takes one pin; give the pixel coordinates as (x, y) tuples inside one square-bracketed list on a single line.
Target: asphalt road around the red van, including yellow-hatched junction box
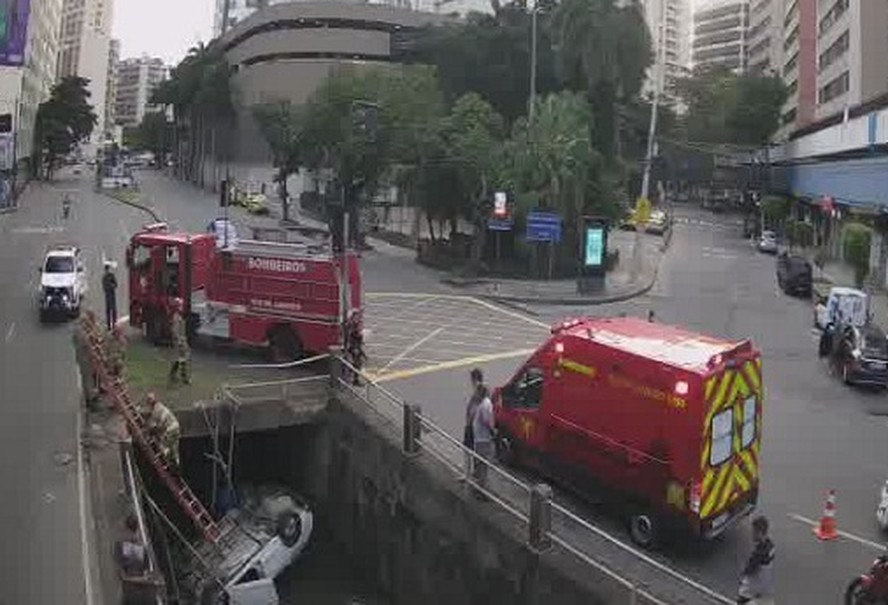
[(817, 435)]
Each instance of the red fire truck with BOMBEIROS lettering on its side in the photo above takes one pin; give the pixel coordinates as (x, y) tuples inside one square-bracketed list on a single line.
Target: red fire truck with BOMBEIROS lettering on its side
[(284, 296)]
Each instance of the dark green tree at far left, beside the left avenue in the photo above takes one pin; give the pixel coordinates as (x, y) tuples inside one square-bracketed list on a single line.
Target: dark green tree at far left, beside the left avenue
[(64, 120)]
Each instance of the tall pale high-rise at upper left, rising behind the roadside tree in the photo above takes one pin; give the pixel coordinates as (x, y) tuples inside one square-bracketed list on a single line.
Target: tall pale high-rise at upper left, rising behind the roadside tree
[(84, 51)]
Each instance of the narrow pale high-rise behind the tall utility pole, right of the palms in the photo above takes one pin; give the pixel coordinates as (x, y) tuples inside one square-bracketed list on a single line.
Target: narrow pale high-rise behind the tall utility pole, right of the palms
[(669, 25)]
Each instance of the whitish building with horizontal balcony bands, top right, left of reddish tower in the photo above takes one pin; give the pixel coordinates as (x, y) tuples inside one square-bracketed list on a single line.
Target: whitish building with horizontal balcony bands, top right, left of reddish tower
[(720, 34)]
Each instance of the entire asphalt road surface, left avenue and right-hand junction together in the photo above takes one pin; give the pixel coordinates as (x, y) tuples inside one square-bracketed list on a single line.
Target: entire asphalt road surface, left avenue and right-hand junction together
[(422, 340)]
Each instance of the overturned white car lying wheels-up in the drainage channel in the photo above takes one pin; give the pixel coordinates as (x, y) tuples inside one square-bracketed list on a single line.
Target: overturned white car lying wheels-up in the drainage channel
[(259, 540)]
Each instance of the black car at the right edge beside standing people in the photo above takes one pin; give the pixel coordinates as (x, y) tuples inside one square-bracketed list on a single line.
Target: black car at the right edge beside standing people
[(861, 356)]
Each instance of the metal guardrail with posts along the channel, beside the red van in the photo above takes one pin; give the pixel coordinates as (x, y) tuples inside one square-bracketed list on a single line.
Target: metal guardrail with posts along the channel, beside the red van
[(648, 581)]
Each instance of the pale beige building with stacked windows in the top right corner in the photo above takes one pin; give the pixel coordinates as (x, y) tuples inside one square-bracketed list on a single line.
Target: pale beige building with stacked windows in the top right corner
[(852, 47)]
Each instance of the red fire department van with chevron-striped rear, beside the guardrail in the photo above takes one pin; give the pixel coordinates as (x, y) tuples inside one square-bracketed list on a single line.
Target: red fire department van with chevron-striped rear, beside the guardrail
[(666, 420)]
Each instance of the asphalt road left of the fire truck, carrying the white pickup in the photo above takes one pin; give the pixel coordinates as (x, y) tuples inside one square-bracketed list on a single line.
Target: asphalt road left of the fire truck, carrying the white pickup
[(44, 512)]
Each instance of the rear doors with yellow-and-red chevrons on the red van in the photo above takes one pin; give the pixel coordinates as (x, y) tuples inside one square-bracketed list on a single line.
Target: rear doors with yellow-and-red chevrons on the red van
[(731, 441)]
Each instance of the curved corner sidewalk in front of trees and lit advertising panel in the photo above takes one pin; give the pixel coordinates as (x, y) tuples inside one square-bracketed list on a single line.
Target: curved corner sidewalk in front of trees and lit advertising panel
[(619, 284)]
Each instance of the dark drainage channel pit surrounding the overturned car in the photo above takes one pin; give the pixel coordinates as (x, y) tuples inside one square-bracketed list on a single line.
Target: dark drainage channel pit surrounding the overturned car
[(323, 574)]
